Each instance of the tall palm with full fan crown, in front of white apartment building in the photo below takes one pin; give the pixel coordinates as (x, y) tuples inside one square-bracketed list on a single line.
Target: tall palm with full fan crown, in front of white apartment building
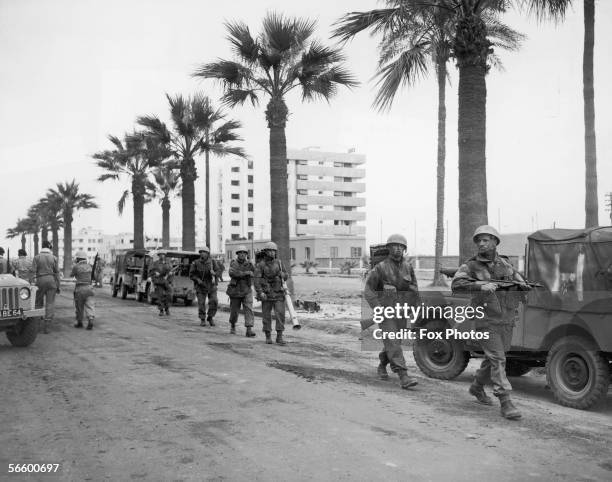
[(283, 57)]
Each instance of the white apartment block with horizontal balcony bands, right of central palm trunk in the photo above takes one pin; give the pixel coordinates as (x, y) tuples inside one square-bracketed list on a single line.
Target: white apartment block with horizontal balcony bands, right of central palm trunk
[(326, 192)]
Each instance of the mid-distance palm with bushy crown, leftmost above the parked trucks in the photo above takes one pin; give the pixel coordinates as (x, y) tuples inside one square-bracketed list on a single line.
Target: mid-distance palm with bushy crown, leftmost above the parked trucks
[(135, 159)]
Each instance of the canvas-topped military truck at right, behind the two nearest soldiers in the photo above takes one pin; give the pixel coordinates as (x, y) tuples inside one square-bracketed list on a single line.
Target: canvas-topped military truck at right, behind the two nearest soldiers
[(565, 326)]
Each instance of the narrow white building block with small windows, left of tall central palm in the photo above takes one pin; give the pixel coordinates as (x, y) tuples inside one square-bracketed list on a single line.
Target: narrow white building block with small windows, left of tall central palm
[(232, 202)]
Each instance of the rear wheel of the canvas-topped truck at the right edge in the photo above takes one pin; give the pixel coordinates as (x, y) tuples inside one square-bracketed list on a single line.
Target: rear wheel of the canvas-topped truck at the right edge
[(577, 373)]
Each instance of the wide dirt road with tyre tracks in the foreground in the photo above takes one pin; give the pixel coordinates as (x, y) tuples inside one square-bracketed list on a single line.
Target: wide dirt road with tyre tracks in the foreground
[(149, 398)]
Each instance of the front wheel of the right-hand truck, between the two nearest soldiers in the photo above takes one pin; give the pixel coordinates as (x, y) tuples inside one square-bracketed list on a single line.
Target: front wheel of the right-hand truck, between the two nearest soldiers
[(442, 359)]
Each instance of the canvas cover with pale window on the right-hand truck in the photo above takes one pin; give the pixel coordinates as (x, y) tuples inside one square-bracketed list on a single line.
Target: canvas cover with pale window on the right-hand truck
[(575, 267)]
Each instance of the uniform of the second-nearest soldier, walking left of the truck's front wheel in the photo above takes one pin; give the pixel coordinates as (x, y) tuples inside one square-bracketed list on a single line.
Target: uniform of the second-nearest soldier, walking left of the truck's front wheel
[(389, 283)]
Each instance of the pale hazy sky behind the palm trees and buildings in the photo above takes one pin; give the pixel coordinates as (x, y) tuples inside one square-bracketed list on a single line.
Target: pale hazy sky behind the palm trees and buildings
[(75, 71)]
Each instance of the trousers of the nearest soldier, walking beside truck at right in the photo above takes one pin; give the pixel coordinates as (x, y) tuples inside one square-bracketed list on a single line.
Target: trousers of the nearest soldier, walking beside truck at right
[(493, 367)]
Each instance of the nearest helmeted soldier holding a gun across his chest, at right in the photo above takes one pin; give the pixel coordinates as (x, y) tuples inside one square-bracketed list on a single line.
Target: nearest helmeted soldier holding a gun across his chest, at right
[(500, 313)]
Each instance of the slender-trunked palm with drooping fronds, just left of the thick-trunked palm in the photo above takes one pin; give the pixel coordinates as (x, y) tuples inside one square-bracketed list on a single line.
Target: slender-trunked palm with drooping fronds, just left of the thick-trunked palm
[(412, 44)]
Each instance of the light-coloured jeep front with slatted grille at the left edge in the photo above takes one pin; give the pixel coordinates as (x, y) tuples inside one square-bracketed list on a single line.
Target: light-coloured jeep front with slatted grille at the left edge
[(19, 317)]
